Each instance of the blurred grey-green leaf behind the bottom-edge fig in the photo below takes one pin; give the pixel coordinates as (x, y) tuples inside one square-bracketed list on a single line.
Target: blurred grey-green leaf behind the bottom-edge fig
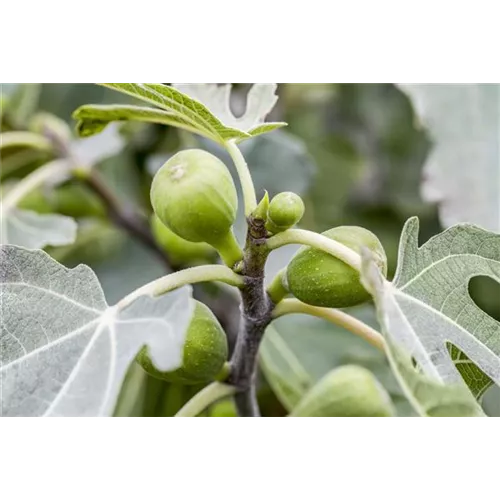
[(297, 351)]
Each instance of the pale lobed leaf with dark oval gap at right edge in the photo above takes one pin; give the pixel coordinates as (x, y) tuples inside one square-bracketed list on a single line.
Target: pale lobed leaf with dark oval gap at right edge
[(428, 306)]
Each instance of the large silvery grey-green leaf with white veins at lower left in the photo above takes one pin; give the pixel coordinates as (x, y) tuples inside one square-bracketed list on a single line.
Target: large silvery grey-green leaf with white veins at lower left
[(64, 352)]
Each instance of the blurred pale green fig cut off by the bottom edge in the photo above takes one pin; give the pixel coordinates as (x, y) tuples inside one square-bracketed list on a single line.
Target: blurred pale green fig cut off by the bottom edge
[(346, 392)]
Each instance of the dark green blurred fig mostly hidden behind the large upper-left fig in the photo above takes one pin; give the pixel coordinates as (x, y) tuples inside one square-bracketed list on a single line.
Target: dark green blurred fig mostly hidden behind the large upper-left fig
[(179, 250)]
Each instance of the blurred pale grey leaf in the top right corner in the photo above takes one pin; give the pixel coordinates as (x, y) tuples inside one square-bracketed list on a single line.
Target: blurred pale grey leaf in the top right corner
[(462, 173)]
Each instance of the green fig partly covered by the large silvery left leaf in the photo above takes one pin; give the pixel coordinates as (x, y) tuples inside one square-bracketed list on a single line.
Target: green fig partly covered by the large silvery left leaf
[(204, 355)]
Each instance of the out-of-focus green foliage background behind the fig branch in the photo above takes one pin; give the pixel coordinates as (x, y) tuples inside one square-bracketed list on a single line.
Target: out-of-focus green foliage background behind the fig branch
[(351, 150)]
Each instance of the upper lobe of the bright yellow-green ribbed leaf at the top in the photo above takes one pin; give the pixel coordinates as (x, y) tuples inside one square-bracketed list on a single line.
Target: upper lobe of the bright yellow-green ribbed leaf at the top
[(189, 112)]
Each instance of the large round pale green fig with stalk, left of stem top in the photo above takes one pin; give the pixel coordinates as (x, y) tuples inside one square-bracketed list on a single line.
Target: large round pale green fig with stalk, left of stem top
[(194, 195)]
